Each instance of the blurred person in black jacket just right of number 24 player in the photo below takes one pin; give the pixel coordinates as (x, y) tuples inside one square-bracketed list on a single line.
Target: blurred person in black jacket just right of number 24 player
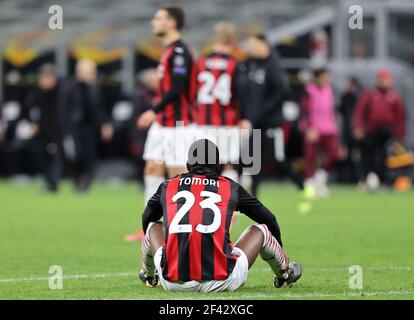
[(266, 88)]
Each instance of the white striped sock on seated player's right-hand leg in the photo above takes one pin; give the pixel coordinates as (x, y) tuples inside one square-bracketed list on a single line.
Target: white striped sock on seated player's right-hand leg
[(273, 253)]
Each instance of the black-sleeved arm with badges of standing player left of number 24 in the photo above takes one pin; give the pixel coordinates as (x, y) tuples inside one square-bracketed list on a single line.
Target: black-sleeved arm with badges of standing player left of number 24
[(180, 70)]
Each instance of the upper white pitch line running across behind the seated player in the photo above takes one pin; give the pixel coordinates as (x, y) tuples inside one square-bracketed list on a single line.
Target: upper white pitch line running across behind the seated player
[(128, 274)]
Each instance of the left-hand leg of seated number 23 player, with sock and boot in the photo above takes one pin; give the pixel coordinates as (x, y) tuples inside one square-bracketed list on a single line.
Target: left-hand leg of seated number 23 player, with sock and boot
[(153, 240)]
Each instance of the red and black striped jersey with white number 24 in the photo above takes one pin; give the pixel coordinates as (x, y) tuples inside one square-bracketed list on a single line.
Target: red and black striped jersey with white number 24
[(216, 102)]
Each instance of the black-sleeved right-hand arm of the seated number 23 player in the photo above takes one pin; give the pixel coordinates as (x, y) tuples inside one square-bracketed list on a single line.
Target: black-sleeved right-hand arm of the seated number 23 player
[(256, 211)]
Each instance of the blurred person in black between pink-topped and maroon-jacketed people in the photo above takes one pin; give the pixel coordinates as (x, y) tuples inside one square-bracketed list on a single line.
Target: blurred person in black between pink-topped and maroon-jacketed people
[(351, 152)]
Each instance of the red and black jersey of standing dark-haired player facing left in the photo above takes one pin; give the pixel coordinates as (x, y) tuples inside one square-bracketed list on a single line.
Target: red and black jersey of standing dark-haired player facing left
[(176, 89)]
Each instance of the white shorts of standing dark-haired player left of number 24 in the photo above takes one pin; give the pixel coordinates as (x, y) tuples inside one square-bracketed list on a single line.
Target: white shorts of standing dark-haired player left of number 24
[(169, 145)]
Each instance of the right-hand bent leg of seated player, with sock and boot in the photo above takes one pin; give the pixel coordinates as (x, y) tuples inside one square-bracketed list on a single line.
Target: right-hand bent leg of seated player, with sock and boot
[(256, 240)]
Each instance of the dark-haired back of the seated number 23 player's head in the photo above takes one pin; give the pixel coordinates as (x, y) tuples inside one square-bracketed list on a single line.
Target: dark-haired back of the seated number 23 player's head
[(203, 154)]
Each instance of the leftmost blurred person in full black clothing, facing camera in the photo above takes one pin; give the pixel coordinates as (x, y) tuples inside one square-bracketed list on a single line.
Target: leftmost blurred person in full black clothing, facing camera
[(47, 118)]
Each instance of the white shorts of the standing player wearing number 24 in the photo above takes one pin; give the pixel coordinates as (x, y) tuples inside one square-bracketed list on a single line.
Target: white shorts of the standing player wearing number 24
[(227, 139)]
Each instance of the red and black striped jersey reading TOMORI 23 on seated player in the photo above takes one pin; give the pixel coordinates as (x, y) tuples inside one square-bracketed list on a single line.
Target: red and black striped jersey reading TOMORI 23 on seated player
[(197, 208)]
